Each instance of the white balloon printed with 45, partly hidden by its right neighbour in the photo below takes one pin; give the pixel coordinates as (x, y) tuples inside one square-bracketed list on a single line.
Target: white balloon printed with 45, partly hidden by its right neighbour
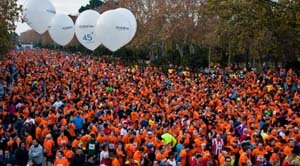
[(85, 29)]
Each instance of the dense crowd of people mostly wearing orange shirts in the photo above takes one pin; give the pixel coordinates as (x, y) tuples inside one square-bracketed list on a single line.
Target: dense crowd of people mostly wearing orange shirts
[(65, 109)]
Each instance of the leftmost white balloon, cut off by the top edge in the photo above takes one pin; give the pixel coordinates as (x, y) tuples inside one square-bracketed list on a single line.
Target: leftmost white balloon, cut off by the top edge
[(38, 14)]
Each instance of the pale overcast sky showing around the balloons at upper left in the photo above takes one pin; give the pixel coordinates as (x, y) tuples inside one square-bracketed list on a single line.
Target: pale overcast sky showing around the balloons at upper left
[(62, 6)]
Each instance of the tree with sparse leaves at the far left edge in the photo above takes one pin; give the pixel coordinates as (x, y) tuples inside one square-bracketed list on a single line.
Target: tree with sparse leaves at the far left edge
[(9, 14)]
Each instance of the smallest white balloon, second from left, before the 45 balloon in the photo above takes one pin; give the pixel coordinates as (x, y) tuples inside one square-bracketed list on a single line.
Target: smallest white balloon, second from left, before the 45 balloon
[(62, 29)]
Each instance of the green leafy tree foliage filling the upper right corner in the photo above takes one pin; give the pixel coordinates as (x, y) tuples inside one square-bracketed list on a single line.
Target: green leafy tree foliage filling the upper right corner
[(258, 29)]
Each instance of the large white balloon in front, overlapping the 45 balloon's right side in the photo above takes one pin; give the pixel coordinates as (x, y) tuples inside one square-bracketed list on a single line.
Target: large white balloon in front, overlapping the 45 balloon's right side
[(114, 30)]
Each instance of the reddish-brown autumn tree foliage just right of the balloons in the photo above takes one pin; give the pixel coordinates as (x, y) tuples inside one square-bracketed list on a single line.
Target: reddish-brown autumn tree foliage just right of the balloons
[(167, 26)]
